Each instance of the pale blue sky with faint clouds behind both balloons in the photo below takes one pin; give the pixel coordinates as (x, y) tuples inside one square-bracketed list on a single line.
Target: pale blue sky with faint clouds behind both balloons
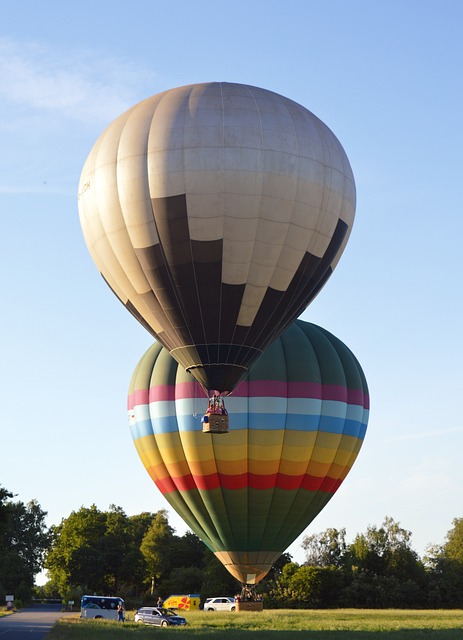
[(386, 78)]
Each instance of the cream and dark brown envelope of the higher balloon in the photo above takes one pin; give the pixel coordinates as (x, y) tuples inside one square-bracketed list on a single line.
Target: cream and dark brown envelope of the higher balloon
[(216, 212)]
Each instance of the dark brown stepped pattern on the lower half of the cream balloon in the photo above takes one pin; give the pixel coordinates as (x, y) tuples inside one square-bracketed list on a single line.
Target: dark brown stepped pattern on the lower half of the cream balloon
[(199, 313)]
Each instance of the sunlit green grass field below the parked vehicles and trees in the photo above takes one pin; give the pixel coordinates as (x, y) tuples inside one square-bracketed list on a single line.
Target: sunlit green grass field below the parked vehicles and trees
[(339, 624)]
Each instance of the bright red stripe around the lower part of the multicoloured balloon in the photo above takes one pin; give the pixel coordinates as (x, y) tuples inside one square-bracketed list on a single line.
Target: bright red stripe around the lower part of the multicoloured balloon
[(250, 481)]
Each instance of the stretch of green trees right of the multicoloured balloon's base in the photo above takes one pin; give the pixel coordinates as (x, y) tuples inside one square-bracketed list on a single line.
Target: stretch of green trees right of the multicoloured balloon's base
[(379, 569)]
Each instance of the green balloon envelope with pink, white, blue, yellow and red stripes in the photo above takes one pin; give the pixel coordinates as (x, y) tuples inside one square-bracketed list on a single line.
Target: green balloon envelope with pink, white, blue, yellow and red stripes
[(300, 418)]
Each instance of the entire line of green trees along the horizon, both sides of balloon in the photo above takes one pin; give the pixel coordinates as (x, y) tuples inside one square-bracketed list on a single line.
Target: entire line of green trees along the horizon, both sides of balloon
[(140, 558)]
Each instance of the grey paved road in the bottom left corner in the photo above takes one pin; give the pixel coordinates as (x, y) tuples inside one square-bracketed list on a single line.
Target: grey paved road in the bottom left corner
[(33, 623)]
